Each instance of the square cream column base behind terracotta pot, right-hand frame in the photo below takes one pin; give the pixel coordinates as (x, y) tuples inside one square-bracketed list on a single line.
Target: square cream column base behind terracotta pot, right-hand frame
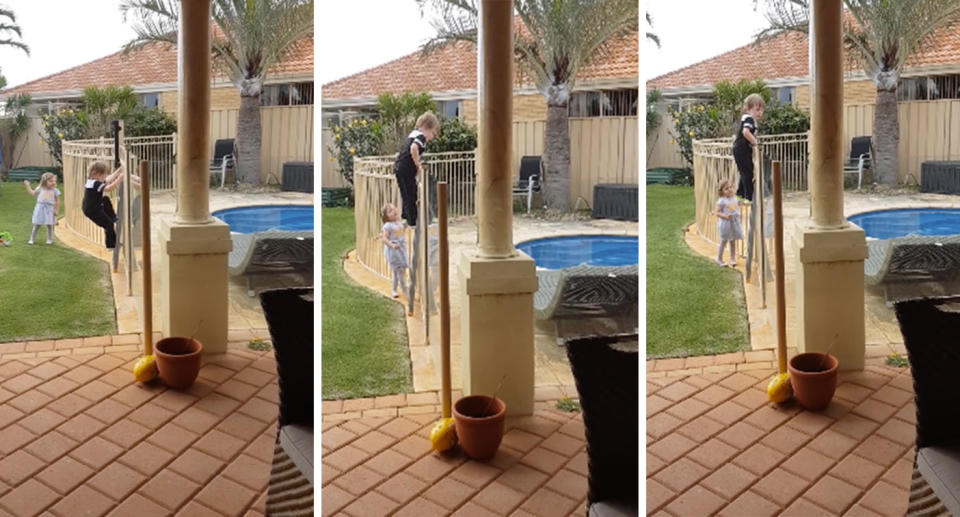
[(830, 292)]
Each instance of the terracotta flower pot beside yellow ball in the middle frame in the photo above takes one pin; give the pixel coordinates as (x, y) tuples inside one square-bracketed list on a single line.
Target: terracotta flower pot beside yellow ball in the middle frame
[(479, 420)]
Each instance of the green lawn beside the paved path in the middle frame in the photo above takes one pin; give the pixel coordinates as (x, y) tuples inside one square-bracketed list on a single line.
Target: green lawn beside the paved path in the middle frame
[(364, 335)]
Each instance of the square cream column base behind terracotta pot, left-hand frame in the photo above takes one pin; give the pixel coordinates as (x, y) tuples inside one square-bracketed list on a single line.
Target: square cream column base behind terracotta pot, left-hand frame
[(193, 297)]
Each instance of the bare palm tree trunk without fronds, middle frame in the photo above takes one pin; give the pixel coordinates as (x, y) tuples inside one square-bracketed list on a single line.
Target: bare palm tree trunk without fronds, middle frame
[(557, 158)]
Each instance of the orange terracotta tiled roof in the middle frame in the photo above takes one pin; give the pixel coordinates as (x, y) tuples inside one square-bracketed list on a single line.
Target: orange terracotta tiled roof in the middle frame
[(454, 67)]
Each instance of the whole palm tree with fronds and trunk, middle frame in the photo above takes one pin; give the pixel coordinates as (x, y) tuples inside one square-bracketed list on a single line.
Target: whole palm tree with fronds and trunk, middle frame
[(557, 39)]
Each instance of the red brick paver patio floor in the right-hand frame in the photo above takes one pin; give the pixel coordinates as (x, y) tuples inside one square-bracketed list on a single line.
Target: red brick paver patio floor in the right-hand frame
[(716, 446)]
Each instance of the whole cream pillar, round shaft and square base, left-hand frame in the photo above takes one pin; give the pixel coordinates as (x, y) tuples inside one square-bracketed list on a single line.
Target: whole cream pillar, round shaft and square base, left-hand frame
[(194, 246)]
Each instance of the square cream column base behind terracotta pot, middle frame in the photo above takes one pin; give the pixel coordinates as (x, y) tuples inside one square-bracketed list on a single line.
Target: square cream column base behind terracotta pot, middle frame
[(497, 328)]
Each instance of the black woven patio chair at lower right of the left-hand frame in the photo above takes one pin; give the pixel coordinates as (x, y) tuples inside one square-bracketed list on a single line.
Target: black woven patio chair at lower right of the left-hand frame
[(289, 315)]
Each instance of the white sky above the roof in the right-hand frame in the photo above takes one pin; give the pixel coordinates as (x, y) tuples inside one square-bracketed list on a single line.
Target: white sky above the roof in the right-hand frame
[(691, 31)]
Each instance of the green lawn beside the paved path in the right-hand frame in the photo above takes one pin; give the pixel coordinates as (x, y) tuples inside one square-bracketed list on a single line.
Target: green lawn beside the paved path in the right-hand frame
[(694, 307)]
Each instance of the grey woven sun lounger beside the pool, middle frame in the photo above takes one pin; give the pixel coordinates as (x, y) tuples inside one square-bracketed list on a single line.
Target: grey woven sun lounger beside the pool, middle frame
[(585, 300)]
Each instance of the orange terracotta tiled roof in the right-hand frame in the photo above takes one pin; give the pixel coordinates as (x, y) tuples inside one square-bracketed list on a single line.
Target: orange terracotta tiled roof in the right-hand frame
[(787, 55)]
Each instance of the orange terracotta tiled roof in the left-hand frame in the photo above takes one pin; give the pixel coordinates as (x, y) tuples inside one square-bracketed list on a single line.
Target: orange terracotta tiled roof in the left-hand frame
[(152, 64)]
